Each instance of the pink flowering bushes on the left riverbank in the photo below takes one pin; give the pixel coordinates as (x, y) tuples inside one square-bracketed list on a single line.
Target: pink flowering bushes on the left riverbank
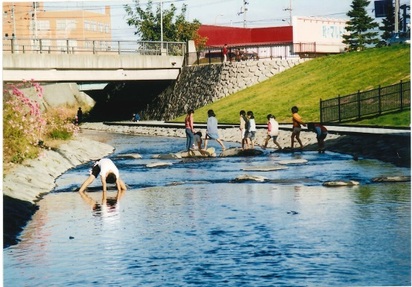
[(27, 127)]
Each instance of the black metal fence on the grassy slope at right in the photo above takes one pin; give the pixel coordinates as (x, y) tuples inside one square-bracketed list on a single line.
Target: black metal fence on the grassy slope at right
[(366, 104)]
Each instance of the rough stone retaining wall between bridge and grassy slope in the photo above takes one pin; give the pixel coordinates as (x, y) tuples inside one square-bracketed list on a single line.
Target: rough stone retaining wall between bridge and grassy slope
[(198, 86)]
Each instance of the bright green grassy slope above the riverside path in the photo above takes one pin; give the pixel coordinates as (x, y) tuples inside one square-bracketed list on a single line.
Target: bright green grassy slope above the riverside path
[(321, 78)]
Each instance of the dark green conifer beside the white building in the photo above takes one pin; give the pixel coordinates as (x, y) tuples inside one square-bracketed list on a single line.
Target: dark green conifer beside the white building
[(359, 27)]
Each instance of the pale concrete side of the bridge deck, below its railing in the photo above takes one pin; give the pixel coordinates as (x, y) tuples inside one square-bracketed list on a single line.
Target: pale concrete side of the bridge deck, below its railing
[(103, 68)]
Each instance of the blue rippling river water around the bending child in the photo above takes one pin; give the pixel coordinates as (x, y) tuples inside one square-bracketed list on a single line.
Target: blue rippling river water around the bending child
[(191, 224)]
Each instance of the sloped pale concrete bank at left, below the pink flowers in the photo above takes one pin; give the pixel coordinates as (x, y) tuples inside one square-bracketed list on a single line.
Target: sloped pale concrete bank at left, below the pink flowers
[(26, 183)]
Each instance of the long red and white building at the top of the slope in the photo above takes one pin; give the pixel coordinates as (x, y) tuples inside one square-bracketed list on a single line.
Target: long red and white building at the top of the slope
[(307, 37)]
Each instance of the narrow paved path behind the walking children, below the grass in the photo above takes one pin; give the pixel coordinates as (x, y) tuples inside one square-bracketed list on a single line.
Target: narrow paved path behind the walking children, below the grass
[(333, 129)]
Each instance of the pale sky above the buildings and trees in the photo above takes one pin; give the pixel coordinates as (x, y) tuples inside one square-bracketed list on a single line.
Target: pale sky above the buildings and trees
[(260, 13)]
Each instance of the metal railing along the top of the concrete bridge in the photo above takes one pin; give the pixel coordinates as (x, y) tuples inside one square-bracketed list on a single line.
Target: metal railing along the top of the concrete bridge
[(75, 46)]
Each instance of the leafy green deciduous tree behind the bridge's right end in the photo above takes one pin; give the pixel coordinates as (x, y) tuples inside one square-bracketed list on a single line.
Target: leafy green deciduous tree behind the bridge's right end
[(175, 27)]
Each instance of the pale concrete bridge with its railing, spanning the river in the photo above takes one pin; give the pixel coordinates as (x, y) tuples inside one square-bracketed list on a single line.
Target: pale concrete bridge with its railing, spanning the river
[(91, 61)]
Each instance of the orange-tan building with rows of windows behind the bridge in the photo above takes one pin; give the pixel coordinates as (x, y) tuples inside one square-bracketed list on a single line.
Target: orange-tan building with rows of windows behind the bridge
[(30, 27)]
